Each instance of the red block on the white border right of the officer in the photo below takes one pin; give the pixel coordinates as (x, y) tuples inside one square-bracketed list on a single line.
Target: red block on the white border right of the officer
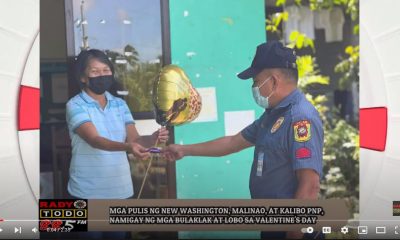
[(373, 128)]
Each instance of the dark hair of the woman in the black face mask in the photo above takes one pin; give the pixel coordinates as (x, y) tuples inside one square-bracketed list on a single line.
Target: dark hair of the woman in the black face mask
[(83, 59)]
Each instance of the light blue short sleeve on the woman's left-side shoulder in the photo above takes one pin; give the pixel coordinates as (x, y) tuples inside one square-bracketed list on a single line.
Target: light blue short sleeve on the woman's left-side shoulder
[(76, 115)]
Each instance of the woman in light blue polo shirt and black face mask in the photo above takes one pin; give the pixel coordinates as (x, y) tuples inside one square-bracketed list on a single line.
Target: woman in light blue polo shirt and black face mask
[(102, 130)]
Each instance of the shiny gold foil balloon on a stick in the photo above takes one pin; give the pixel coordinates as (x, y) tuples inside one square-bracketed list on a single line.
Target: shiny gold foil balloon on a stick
[(175, 100)]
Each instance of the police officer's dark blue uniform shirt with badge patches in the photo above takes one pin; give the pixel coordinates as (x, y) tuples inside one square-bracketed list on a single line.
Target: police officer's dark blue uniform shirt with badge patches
[(287, 138)]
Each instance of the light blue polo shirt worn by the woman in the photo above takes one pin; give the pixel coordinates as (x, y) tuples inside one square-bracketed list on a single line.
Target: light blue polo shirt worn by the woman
[(95, 173)]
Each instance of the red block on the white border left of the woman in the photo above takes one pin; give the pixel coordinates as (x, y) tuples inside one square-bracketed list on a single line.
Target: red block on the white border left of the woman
[(28, 108)]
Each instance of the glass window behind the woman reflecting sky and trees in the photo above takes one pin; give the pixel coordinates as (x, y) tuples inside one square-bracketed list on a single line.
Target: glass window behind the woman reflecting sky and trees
[(130, 33)]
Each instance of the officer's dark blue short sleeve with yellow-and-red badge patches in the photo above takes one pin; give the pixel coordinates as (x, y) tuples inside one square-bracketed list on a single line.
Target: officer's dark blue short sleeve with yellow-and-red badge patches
[(305, 144)]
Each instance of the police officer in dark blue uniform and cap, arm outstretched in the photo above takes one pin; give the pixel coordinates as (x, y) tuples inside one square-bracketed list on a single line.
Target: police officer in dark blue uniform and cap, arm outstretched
[(288, 137)]
